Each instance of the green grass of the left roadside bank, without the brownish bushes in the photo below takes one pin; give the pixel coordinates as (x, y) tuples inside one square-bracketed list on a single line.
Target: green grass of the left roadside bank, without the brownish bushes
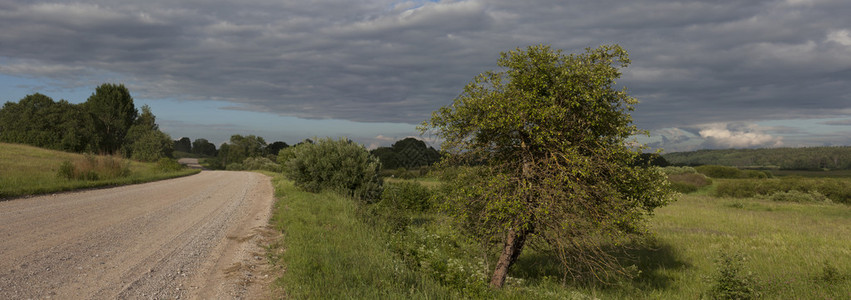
[(27, 170)]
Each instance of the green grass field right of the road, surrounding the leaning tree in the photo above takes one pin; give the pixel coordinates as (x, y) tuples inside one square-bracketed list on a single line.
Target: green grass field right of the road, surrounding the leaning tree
[(786, 250)]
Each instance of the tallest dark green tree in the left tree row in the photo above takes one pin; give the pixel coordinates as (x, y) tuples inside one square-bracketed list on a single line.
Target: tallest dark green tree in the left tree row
[(113, 111)]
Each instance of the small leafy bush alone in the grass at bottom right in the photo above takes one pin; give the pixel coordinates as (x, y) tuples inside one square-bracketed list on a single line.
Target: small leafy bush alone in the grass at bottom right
[(732, 281)]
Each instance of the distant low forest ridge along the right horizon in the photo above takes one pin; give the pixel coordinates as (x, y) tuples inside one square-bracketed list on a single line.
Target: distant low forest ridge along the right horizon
[(812, 158)]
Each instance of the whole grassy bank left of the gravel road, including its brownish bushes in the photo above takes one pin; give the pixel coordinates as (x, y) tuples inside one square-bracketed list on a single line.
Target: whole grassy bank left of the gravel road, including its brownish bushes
[(28, 170)]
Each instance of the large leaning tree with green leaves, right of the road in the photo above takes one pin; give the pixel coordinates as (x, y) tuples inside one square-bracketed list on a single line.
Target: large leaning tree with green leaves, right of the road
[(549, 136)]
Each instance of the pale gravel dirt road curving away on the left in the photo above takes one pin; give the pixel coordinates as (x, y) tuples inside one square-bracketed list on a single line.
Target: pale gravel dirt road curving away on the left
[(193, 237)]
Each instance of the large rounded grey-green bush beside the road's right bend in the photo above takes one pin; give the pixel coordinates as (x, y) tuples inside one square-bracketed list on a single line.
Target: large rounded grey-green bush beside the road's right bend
[(339, 165)]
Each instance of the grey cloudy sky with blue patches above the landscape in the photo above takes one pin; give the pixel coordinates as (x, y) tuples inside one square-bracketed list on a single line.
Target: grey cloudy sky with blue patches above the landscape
[(709, 74)]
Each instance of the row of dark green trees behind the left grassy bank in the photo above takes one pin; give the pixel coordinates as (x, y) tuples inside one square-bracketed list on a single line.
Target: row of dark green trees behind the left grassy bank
[(107, 123)]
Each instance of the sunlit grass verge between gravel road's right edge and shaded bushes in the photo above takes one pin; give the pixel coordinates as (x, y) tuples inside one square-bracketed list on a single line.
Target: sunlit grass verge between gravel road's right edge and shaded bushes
[(331, 254)]
